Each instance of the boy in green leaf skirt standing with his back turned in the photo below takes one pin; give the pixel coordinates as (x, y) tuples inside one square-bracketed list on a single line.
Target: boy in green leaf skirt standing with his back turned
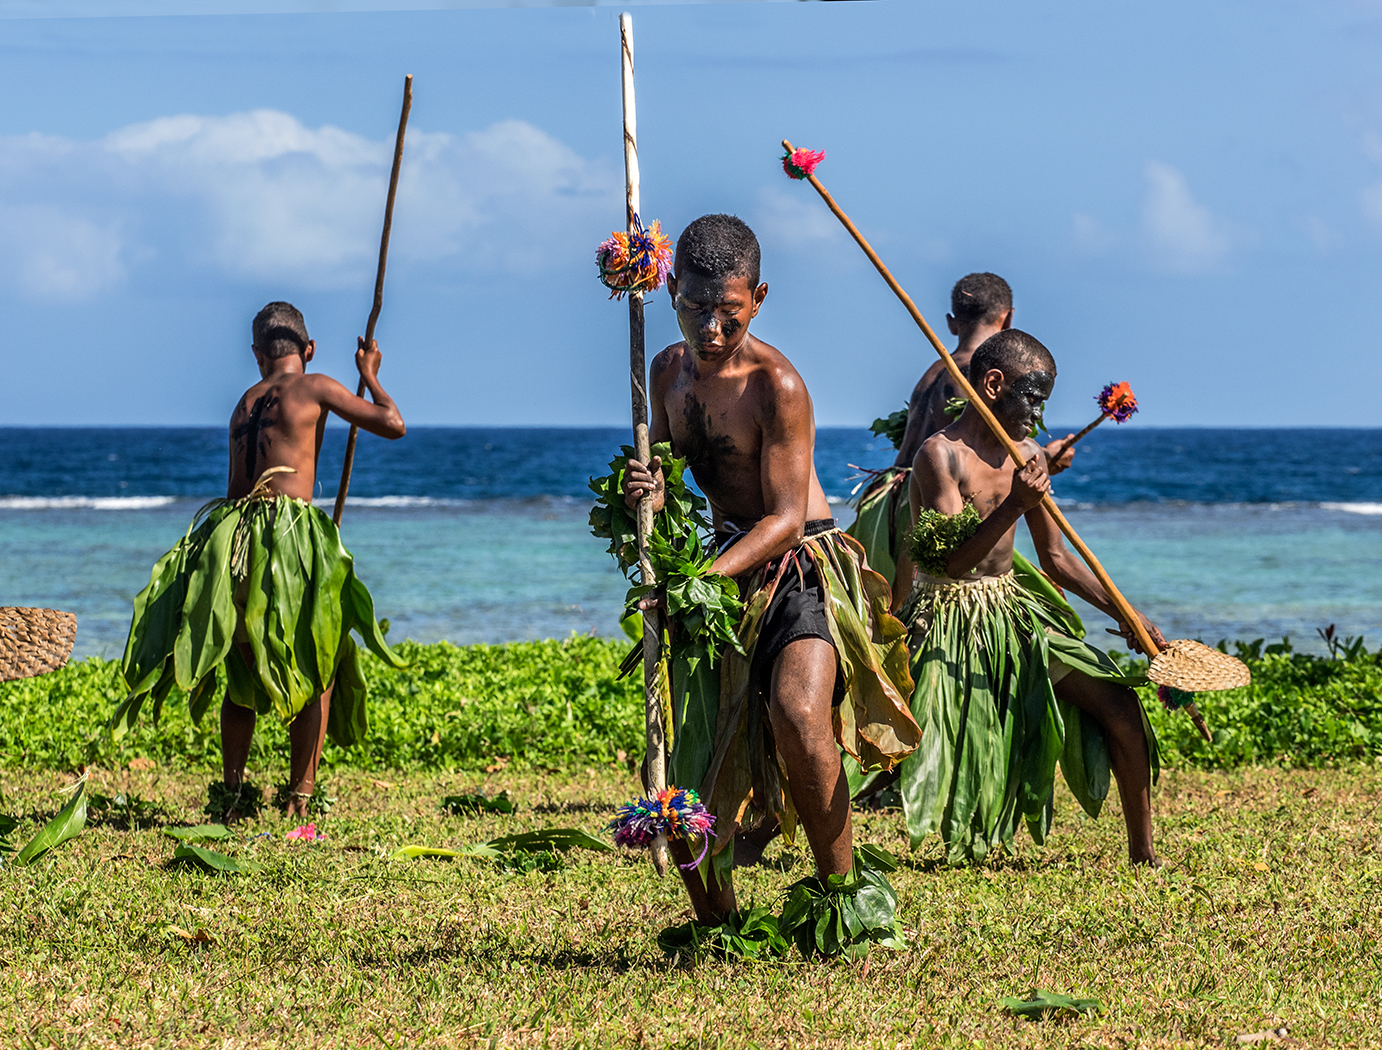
[(262, 584)]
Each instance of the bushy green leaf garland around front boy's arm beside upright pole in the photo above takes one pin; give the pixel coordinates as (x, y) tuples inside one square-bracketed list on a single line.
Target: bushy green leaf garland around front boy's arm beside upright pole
[(704, 604)]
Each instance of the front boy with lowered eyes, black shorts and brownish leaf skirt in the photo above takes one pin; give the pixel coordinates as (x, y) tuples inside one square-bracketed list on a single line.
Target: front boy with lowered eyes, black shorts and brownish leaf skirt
[(824, 662)]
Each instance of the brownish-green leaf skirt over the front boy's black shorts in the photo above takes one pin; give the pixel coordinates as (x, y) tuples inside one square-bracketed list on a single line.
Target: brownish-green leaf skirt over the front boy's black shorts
[(723, 743)]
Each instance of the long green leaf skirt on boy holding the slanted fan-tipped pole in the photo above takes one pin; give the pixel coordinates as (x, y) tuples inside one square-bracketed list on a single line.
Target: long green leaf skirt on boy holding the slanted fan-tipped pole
[(993, 729)]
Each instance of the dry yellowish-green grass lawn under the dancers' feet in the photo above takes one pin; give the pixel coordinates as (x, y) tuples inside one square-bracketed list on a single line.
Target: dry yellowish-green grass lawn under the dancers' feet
[(1268, 913)]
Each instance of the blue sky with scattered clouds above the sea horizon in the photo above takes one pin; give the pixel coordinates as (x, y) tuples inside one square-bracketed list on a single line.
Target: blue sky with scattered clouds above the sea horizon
[(1188, 197)]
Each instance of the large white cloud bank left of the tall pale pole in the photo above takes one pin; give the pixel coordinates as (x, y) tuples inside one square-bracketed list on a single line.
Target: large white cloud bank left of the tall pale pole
[(262, 197)]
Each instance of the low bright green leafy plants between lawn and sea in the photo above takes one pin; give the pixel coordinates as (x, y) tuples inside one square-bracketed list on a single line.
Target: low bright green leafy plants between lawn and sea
[(560, 704)]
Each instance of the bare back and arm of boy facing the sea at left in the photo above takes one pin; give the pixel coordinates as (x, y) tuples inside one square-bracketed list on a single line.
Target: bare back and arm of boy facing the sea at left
[(281, 419)]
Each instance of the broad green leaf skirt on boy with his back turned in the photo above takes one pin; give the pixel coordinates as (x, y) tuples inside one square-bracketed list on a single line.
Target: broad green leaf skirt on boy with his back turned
[(263, 589)]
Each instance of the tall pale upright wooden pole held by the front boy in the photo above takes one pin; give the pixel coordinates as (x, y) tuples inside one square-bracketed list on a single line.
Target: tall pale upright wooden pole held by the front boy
[(657, 758)]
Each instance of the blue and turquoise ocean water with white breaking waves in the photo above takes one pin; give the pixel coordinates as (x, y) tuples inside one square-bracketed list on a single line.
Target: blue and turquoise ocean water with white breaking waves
[(482, 534)]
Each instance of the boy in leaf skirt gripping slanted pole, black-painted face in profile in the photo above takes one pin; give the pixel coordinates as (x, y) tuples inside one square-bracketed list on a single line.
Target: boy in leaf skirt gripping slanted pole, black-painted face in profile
[(1005, 686)]
